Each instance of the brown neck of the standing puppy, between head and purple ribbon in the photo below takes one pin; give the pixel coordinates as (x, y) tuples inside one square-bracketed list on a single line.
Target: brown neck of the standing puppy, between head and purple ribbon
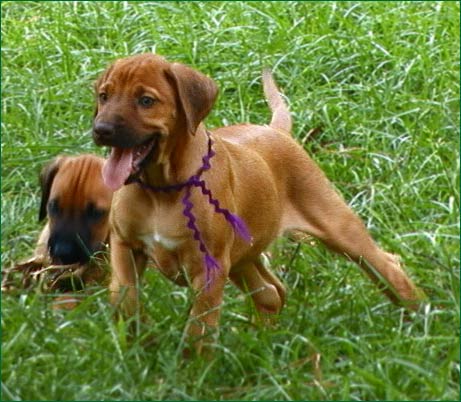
[(182, 157)]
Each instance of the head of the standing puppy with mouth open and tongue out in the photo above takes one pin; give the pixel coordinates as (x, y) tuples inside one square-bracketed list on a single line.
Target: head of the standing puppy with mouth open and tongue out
[(144, 105)]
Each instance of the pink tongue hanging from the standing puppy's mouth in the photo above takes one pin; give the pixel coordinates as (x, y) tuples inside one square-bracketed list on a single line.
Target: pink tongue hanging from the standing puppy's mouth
[(117, 167)]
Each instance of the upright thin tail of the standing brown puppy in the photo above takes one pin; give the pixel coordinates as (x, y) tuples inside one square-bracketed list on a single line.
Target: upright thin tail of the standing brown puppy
[(281, 118)]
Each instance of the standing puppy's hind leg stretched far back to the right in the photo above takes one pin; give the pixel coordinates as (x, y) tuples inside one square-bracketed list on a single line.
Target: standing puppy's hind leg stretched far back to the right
[(318, 210)]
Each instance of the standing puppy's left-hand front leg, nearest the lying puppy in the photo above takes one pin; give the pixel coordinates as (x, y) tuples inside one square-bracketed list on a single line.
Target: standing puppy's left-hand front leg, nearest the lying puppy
[(127, 268)]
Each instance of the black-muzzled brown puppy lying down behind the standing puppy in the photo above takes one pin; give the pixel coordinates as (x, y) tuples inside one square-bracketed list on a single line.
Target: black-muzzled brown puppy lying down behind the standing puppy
[(77, 203)]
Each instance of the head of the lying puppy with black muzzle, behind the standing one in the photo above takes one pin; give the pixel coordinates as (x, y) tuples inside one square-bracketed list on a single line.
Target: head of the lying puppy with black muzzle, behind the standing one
[(77, 203)]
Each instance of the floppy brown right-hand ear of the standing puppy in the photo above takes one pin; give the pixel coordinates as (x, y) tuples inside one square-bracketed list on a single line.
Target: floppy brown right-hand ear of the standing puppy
[(196, 92)]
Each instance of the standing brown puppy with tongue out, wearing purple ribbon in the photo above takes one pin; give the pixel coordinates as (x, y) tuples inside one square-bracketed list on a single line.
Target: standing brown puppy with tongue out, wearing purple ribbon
[(149, 112)]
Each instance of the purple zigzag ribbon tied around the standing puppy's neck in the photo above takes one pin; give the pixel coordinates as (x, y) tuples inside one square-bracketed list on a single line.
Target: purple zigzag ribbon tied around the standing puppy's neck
[(237, 223)]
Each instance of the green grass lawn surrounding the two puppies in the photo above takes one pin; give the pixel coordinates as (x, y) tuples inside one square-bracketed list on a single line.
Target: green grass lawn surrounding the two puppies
[(381, 79)]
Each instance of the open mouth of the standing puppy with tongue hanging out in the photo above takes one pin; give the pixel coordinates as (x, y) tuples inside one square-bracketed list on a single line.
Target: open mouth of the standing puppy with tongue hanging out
[(124, 163)]
